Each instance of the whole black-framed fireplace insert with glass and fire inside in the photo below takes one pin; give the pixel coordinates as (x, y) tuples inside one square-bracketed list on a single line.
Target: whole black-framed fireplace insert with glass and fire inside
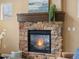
[(39, 41)]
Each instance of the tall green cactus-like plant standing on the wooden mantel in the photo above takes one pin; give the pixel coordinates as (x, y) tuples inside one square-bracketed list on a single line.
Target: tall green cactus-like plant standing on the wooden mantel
[(52, 10)]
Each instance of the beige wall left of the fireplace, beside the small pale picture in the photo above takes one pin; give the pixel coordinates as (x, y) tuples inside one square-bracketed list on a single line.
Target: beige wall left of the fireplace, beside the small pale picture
[(12, 39)]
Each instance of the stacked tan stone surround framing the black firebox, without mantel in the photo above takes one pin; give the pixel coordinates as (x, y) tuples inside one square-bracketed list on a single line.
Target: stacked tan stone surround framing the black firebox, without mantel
[(56, 37)]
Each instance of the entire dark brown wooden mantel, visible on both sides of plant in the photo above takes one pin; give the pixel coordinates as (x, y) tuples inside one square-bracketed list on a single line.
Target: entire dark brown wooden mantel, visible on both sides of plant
[(35, 17)]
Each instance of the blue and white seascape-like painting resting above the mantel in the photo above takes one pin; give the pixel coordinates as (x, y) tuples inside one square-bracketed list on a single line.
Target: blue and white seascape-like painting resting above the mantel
[(36, 6)]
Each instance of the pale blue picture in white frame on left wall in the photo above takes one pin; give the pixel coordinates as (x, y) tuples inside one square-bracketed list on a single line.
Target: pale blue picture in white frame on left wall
[(6, 11)]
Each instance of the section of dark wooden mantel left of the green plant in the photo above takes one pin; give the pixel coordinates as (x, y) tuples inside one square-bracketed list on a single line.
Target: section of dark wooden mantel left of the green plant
[(32, 17)]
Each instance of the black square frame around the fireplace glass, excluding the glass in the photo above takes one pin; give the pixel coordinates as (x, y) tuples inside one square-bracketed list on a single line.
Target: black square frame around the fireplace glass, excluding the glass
[(43, 32)]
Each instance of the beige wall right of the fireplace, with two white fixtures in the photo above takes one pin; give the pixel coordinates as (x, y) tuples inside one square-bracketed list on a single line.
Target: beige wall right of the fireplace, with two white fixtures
[(71, 38)]
